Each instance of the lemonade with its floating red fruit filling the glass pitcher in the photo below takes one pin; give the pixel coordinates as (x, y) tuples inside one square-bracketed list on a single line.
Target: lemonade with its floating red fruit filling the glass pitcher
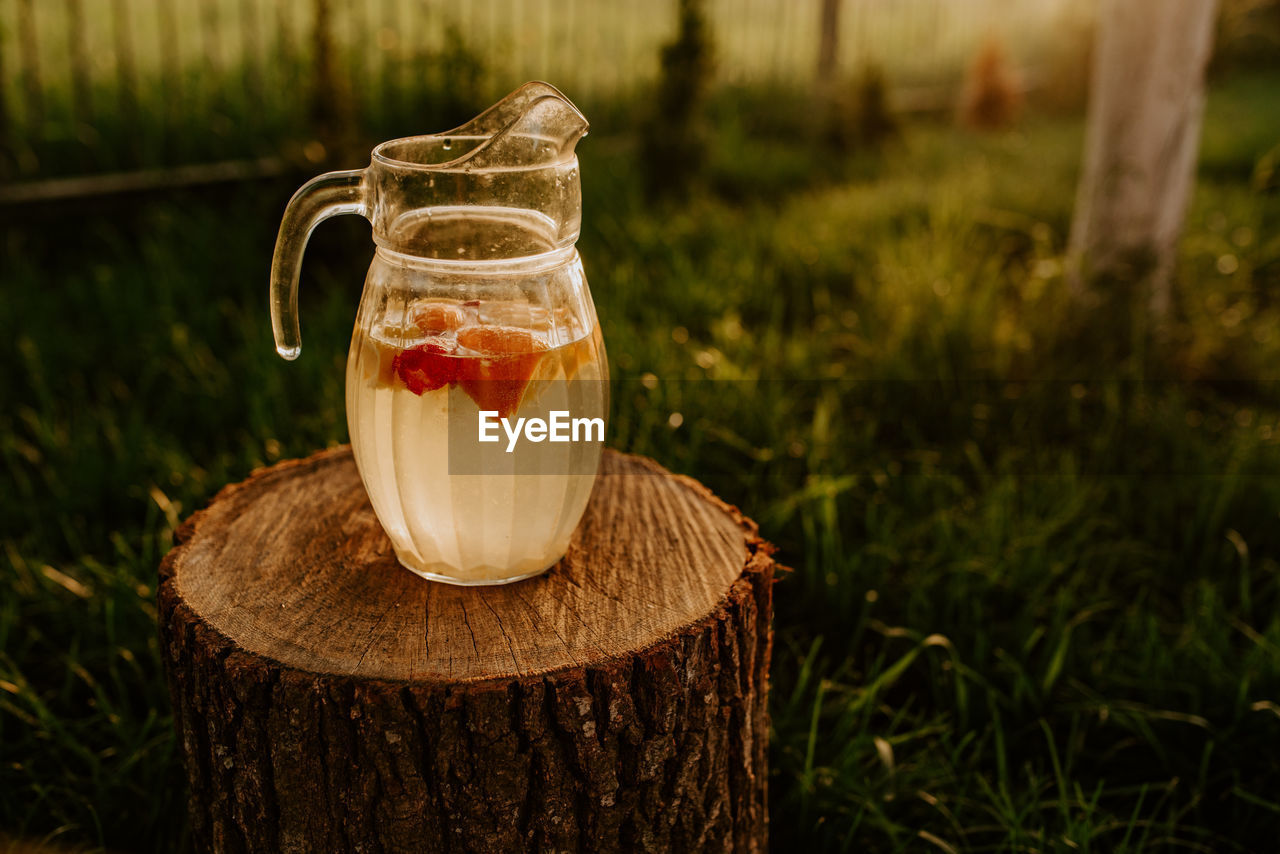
[(429, 367)]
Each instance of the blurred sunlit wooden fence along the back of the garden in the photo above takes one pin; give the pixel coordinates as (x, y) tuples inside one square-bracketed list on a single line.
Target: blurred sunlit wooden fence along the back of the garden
[(108, 85)]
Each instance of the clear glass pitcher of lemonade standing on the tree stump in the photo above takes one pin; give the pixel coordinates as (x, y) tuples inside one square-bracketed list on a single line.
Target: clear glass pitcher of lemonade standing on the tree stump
[(476, 325)]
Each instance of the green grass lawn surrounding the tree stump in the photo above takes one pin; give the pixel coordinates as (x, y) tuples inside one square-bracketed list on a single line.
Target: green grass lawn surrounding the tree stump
[(1036, 588)]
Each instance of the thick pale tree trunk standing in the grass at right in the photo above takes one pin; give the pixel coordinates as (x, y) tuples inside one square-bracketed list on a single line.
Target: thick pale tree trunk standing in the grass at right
[(1146, 104)]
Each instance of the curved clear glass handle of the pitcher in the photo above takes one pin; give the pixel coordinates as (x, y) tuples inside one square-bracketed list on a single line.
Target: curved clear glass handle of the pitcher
[(322, 198)]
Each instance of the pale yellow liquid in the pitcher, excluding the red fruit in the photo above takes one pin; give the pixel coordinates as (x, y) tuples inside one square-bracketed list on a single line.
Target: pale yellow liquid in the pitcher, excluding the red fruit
[(473, 528)]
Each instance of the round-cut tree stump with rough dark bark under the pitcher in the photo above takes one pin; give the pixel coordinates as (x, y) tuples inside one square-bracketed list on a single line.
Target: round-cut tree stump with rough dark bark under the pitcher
[(328, 700)]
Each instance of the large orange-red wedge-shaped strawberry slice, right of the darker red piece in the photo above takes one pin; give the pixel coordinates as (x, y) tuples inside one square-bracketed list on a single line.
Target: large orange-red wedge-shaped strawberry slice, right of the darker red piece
[(497, 377)]
